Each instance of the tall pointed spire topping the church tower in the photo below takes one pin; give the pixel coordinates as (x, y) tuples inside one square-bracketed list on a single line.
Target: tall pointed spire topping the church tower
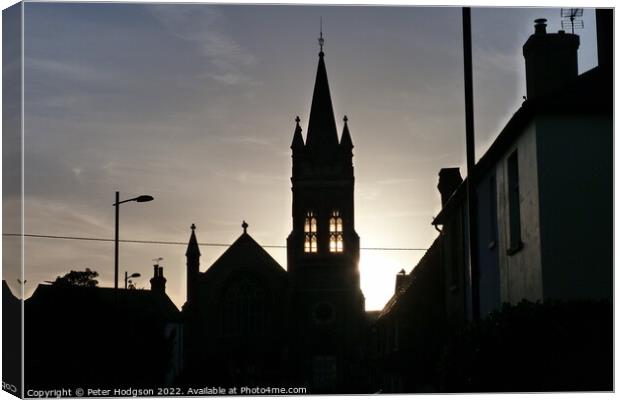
[(322, 138)]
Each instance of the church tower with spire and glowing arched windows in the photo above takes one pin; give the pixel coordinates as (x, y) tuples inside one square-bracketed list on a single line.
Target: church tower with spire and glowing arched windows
[(323, 248)]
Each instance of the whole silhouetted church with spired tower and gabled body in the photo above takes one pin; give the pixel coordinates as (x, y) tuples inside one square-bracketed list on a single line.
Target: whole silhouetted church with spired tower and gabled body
[(249, 321)]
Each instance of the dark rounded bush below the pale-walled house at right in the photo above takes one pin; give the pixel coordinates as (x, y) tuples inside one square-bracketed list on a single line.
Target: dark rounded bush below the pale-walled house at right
[(533, 347)]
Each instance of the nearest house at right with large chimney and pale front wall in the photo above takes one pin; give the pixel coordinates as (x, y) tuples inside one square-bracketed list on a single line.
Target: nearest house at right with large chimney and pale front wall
[(544, 188)]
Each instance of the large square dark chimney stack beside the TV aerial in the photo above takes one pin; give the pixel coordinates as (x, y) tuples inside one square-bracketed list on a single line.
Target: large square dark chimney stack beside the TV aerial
[(550, 60)]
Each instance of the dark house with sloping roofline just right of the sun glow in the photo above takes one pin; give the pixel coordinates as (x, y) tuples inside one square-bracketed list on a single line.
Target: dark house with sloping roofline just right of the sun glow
[(409, 331)]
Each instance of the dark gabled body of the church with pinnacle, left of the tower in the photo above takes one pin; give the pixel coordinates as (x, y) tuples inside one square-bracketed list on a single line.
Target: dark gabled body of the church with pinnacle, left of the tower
[(235, 316)]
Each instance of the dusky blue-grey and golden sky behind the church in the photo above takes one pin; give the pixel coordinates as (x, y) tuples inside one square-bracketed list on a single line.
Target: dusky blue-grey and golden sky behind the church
[(195, 105)]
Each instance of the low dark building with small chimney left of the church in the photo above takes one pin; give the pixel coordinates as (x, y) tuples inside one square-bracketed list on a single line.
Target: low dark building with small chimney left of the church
[(103, 337)]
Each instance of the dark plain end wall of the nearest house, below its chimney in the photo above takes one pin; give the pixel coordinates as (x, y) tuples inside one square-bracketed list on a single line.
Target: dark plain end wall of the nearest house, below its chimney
[(576, 199)]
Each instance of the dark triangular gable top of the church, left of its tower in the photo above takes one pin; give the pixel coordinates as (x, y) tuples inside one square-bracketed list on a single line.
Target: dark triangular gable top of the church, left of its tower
[(244, 253)]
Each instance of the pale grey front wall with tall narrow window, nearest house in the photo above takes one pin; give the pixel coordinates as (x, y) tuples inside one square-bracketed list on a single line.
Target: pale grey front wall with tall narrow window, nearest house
[(520, 273)]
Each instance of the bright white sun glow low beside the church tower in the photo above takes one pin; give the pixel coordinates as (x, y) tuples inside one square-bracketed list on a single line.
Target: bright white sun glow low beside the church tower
[(377, 277)]
